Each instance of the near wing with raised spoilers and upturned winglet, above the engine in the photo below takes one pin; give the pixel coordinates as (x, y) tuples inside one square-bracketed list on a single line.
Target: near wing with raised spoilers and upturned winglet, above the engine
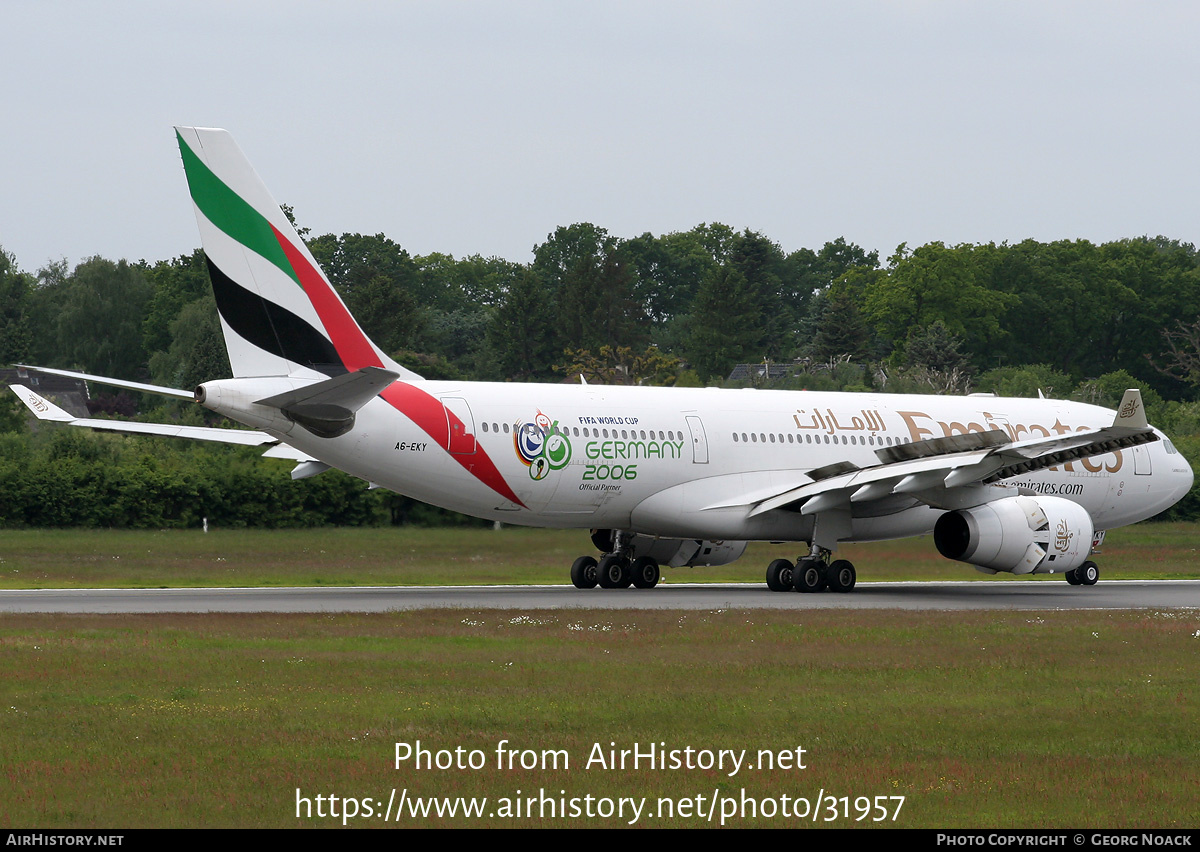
[(957, 472)]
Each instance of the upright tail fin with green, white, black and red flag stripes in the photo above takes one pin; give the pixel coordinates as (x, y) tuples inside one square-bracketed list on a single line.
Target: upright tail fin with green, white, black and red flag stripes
[(279, 313)]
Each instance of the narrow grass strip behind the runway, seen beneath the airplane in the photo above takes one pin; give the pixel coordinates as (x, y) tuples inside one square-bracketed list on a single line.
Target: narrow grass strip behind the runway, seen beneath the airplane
[(88, 559)]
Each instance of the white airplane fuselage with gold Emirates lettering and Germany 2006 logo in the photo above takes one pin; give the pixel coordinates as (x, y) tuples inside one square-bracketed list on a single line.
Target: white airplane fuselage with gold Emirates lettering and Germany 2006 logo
[(688, 463)]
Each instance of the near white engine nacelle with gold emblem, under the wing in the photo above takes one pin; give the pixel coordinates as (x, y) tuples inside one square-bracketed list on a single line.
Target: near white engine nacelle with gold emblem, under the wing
[(1018, 535)]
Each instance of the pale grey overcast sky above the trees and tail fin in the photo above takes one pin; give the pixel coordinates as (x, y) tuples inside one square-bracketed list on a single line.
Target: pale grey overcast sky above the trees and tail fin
[(478, 128)]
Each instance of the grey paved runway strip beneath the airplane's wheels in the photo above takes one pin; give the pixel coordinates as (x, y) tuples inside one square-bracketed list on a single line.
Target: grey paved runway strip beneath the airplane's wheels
[(1119, 595)]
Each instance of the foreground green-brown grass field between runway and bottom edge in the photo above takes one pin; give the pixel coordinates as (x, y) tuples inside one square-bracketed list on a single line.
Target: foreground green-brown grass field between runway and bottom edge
[(1054, 719)]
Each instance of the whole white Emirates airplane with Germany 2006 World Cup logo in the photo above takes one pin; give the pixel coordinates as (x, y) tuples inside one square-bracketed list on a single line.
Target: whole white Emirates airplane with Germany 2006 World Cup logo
[(659, 476)]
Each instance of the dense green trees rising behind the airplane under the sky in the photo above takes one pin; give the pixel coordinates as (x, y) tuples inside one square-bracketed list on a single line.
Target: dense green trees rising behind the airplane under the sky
[(1071, 319)]
